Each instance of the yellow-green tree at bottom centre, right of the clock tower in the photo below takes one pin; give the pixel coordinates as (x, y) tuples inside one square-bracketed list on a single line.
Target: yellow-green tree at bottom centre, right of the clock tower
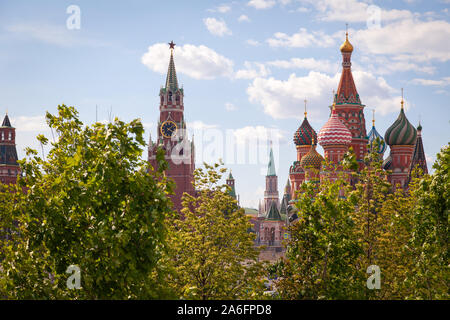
[(212, 253)]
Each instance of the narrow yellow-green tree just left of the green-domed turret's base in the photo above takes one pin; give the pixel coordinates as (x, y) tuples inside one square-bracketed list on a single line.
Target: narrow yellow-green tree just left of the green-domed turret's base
[(379, 237)]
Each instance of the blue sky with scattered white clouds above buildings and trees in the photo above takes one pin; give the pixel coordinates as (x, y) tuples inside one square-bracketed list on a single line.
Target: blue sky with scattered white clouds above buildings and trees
[(246, 67)]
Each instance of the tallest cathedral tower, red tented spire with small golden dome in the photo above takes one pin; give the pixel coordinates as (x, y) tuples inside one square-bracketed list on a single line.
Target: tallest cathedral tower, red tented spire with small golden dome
[(348, 104)]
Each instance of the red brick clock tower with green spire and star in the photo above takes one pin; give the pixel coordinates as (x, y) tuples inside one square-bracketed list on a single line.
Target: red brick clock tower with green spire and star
[(172, 136)]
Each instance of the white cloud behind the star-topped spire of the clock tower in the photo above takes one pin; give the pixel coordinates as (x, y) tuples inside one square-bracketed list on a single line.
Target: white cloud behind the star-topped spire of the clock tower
[(198, 62)]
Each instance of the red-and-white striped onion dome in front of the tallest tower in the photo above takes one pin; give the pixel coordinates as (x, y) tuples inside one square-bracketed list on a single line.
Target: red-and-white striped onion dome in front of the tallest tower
[(334, 132)]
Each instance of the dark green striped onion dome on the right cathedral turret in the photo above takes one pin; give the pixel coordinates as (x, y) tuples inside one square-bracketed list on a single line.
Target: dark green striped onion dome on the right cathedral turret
[(402, 132)]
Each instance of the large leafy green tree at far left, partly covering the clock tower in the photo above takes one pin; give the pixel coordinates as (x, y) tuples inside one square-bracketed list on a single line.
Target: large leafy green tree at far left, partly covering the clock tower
[(93, 202)]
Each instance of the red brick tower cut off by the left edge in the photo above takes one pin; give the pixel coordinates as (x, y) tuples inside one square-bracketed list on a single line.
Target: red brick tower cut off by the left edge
[(9, 168)]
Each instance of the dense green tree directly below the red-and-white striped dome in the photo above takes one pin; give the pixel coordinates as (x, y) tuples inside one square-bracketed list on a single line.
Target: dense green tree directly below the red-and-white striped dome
[(323, 247)]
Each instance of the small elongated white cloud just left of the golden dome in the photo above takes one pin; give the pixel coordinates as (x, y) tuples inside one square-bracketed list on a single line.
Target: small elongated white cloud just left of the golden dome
[(301, 39)]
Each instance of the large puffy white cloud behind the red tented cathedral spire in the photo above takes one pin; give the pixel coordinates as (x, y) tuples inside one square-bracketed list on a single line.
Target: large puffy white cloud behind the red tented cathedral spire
[(284, 98)]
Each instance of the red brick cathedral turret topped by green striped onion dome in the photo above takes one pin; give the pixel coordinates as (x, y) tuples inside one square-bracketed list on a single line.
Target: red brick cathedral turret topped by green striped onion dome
[(401, 137)]
